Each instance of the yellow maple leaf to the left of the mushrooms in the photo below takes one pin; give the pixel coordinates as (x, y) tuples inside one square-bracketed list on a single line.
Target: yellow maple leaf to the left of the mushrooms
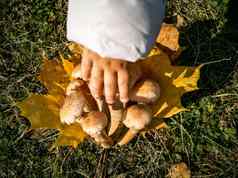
[(43, 110)]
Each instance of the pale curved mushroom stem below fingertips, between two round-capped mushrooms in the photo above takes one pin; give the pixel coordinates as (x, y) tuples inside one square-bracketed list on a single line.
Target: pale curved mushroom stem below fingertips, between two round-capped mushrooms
[(116, 112)]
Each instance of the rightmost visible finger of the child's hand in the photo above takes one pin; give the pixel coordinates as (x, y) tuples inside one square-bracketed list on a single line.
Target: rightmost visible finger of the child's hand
[(123, 80)]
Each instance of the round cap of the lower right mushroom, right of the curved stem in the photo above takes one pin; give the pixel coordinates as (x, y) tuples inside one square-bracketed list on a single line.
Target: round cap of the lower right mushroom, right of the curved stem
[(137, 117)]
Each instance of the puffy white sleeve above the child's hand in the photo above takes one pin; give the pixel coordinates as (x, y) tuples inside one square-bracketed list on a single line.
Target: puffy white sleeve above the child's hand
[(123, 29)]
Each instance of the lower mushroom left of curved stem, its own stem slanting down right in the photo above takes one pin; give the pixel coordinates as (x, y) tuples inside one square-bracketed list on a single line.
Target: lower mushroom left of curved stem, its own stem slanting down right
[(94, 125)]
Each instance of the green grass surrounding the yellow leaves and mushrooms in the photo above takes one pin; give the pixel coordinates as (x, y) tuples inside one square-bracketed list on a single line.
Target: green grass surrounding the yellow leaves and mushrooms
[(206, 138)]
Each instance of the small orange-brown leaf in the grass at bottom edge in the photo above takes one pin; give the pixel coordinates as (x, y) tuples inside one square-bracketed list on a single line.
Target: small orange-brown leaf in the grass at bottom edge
[(179, 170)]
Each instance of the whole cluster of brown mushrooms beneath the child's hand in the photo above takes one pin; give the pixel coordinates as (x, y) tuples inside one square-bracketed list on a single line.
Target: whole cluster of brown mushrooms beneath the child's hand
[(102, 122)]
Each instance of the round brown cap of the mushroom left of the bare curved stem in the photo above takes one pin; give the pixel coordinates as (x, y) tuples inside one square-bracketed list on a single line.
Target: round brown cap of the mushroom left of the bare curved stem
[(94, 123)]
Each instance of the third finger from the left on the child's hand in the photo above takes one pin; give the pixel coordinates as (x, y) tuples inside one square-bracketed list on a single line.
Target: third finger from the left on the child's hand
[(110, 86)]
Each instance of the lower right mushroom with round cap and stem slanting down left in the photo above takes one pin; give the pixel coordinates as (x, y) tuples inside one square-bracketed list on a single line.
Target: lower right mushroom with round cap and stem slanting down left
[(136, 119)]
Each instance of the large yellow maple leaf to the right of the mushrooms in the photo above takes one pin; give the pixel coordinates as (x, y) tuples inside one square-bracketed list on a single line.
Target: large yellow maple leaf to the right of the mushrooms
[(174, 81)]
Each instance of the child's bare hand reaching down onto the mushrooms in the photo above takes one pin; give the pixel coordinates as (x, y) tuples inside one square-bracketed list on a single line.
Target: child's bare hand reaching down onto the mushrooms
[(106, 76)]
